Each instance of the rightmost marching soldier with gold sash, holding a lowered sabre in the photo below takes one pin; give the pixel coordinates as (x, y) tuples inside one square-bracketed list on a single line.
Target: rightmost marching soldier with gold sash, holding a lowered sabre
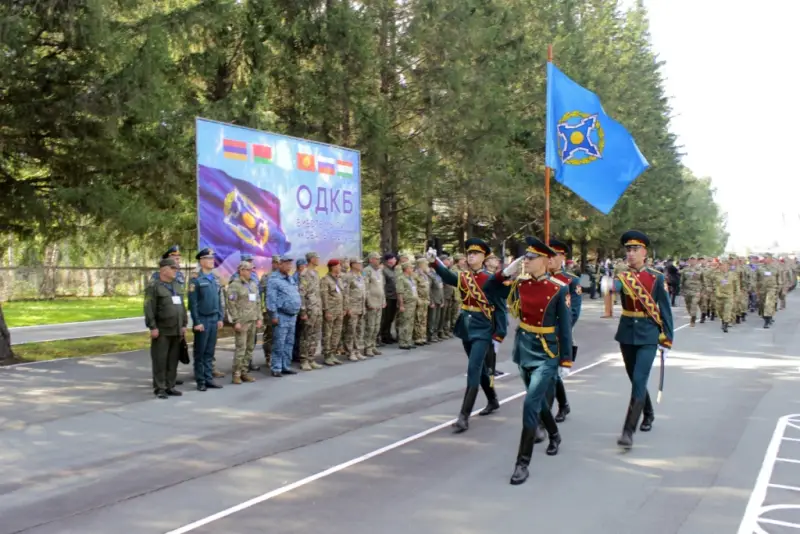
[(644, 328)]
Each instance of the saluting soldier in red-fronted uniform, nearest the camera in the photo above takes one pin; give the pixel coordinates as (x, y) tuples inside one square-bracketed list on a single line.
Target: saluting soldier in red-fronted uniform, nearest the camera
[(542, 344)]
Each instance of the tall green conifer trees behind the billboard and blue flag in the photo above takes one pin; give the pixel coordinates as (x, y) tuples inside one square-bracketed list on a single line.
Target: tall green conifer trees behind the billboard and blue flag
[(445, 100)]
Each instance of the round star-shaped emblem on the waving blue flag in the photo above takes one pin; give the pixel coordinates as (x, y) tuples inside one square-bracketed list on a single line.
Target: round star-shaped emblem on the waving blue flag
[(581, 138)]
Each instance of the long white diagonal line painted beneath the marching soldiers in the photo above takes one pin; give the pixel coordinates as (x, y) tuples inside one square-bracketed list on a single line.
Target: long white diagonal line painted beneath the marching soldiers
[(340, 467)]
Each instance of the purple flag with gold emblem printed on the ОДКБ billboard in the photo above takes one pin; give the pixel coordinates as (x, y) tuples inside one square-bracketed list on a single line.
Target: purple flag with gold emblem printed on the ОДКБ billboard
[(237, 216)]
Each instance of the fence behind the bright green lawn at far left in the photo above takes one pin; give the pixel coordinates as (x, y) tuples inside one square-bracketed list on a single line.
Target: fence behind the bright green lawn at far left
[(21, 283)]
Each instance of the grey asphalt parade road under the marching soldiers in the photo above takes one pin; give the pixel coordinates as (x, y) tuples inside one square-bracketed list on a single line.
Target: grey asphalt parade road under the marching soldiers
[(366, 447)]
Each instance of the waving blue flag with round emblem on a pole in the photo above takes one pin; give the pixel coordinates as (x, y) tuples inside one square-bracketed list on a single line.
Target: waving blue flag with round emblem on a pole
[(589, 152)]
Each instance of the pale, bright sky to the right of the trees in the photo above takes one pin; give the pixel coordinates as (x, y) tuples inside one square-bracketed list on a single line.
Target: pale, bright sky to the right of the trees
[(732, 79)]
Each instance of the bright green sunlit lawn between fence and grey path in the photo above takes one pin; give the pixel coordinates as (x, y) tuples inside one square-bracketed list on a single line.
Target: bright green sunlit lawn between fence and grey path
[(69, 310)]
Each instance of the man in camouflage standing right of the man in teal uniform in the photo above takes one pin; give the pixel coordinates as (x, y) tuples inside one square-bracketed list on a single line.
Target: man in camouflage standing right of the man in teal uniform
[(244, 309)]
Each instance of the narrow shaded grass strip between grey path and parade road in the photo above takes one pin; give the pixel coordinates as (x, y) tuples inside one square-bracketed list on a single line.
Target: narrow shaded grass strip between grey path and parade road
[(92, 346)]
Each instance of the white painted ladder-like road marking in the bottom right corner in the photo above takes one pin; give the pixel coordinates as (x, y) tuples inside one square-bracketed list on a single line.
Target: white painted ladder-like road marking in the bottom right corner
[(755, 506)]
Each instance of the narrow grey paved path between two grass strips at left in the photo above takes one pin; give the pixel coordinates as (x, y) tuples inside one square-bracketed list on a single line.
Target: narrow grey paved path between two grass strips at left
[(55, 332)]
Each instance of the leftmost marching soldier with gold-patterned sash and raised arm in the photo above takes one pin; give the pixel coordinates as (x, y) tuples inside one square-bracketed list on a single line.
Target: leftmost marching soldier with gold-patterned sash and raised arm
[(478, 324)]
